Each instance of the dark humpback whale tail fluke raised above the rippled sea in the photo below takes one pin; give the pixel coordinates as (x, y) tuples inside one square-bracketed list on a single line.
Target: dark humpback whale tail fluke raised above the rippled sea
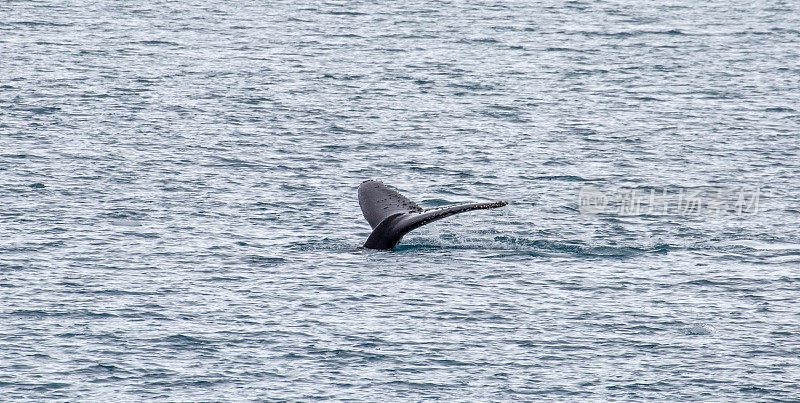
[(392, 215)]
